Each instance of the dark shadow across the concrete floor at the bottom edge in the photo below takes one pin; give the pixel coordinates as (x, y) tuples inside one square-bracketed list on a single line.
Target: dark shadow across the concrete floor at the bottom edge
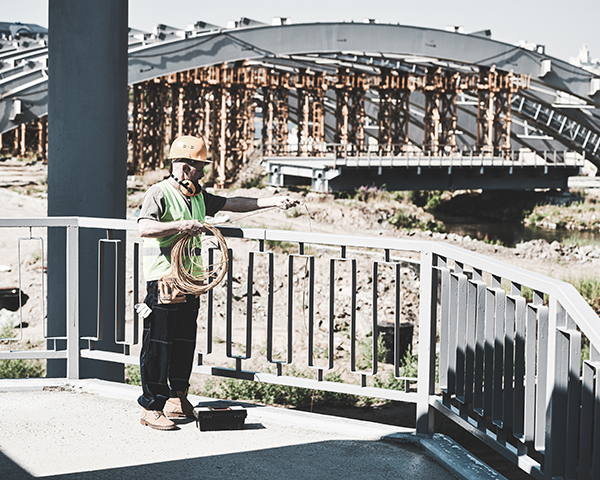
[(325, 459)]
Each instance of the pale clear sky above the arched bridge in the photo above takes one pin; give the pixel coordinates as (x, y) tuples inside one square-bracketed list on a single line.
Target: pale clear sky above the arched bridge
[(562, 26)]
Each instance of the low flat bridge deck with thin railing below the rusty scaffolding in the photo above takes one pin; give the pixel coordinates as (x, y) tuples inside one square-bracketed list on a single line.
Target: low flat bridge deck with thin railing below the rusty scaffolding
[(423, 172)]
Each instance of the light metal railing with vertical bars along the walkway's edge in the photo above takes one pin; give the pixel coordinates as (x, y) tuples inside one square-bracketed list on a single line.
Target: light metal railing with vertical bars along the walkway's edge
[(533, 346)]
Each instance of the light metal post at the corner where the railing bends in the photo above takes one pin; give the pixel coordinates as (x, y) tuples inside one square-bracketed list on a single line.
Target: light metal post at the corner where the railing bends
[(427, 327)]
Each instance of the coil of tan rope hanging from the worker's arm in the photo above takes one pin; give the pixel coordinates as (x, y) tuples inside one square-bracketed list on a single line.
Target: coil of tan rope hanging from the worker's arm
[(186, 261)]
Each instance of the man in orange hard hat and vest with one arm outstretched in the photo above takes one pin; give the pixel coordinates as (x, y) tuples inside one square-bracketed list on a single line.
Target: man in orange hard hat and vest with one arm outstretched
[(172, 206)]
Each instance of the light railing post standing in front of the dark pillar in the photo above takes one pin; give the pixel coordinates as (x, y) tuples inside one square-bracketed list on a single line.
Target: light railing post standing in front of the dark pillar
[(72, 311)]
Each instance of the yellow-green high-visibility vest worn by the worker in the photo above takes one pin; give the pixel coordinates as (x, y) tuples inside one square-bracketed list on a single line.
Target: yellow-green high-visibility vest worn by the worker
[(157, 251)]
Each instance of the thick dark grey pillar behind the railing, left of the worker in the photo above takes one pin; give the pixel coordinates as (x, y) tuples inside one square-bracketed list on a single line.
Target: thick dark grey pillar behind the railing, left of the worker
[(87, 154)]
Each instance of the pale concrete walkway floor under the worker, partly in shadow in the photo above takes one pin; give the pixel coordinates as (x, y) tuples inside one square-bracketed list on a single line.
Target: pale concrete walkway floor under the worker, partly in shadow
[(90, 429)]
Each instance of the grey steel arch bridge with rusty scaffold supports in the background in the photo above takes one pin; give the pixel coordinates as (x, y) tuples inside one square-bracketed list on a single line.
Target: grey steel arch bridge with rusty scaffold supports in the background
[(338, 103)]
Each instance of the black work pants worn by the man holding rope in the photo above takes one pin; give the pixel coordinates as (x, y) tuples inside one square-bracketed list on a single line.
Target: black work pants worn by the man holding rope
[(167, 354)]
